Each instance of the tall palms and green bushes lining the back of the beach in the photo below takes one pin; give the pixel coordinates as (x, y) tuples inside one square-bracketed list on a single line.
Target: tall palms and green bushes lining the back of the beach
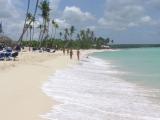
[(68, 38)]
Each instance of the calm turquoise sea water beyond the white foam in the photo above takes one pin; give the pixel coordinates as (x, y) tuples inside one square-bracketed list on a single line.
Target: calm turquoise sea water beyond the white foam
[(141, 65)]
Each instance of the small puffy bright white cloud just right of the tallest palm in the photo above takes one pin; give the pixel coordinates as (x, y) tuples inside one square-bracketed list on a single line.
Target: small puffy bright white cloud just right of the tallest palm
[(75, 14)]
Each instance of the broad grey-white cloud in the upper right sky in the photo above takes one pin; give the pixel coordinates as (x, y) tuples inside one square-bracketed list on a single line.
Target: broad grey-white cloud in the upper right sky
[(123, 14)]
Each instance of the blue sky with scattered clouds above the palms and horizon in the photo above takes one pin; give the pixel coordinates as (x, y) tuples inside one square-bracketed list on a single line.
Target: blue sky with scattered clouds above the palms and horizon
[(124, 21)]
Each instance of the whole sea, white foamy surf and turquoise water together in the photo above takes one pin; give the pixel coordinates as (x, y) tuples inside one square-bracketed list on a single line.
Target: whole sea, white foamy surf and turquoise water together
[(114, 85)]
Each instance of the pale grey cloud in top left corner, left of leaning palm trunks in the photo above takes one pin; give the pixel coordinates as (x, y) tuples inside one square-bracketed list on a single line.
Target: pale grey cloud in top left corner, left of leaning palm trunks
[(11, 17)]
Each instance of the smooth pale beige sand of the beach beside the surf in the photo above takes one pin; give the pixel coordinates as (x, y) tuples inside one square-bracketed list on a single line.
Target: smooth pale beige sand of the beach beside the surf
[(21, 96)]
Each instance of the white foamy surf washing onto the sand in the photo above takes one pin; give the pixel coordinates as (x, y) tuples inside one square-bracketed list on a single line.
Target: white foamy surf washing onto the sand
[(90, 91)]
